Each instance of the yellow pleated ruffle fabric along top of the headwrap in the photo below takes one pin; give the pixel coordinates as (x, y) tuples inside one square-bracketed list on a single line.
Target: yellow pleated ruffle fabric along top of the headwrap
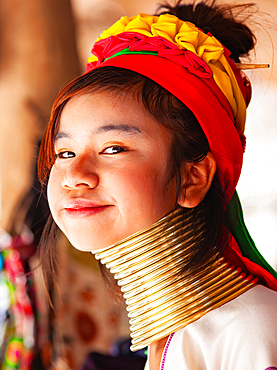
[(186, 35)]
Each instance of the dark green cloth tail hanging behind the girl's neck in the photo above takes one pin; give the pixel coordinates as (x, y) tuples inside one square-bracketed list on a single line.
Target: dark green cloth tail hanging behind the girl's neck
[(242, 236)]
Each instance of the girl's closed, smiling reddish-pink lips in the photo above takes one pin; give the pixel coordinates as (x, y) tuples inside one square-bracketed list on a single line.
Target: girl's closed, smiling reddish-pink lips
[(80, 208)]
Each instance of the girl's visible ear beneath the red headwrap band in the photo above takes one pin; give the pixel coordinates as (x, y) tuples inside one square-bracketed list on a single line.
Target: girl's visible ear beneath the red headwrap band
[(196, 179)]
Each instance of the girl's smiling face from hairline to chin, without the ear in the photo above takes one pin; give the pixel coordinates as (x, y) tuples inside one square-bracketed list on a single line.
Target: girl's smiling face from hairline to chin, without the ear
[(110, 178)]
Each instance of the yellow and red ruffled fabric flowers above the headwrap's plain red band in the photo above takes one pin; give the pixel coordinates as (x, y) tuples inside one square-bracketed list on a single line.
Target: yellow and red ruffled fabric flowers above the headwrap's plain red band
[(178, 40)]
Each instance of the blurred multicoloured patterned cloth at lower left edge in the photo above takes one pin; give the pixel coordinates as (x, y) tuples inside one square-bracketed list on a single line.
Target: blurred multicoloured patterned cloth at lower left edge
[(17, 336)]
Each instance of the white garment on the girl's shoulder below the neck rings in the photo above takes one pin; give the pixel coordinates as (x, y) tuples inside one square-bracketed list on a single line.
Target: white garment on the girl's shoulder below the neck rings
[(240, 335)]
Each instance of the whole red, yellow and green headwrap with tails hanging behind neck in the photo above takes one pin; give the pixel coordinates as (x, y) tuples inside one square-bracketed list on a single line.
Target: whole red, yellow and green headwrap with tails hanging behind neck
[(196, 68)]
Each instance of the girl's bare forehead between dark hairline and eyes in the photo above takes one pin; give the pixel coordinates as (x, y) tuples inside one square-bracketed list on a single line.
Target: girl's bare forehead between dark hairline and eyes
[(103, 112)]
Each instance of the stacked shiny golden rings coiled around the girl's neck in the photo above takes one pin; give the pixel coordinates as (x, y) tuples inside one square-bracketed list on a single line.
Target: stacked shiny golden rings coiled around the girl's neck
[(161, 298)]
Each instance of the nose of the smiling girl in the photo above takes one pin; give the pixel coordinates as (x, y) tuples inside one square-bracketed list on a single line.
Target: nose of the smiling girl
[(80, 174)]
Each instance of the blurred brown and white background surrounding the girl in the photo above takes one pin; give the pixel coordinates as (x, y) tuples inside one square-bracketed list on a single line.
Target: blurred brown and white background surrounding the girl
[(43, 45)]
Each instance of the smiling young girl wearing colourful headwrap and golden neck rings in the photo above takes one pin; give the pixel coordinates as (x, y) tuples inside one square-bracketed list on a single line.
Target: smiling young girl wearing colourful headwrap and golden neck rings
[(141, 157)]
